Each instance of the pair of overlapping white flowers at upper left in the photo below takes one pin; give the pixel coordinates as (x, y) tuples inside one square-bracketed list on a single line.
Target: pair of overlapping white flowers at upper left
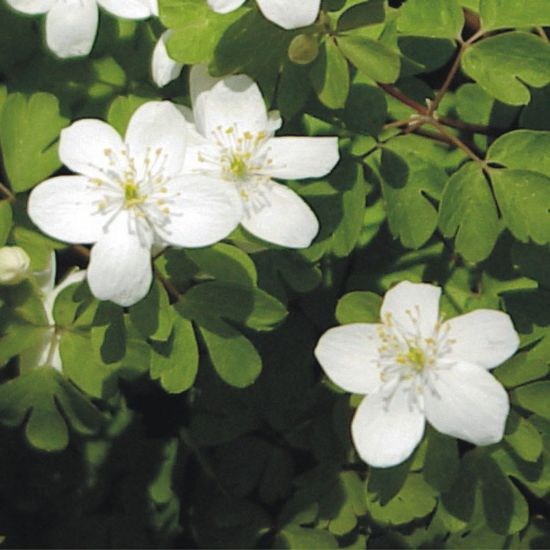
[(177, 182)]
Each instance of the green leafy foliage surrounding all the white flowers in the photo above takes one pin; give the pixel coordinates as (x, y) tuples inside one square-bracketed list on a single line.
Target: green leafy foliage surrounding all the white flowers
[(199, 417)]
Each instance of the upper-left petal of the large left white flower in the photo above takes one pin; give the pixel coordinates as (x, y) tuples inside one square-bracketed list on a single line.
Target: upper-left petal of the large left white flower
[(83, 146)]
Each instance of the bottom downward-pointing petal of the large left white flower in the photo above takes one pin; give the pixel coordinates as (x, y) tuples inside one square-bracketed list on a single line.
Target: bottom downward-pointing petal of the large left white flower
[(120, 264)]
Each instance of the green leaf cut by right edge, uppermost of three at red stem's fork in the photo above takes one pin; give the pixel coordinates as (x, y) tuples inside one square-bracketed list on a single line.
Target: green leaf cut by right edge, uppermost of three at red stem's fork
[(522, 150)]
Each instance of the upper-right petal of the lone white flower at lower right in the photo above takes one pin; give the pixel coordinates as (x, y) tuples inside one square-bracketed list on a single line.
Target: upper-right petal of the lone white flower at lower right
[(484, 337)]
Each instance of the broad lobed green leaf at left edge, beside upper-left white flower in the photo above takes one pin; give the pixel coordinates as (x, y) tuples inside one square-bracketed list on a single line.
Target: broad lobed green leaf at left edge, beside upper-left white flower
[(29, 131)]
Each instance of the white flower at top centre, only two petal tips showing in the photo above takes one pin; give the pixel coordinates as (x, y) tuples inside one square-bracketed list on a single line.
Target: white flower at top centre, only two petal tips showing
[(289, 14)]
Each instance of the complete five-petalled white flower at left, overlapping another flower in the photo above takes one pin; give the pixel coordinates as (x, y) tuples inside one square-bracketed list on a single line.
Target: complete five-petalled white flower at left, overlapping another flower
[(130, 195)]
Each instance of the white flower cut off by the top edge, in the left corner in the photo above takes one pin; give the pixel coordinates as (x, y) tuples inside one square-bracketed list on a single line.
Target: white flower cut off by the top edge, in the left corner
[(71, 25)]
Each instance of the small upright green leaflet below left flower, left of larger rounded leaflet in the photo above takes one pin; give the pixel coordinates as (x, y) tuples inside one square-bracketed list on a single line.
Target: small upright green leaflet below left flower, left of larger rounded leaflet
[(176, 362)]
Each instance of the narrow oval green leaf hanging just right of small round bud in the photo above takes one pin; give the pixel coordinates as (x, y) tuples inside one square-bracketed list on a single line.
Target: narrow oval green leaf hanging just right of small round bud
[(330, 76)]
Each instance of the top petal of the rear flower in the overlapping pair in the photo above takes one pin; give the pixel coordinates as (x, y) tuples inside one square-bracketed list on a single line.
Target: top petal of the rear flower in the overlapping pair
[(227, 102)]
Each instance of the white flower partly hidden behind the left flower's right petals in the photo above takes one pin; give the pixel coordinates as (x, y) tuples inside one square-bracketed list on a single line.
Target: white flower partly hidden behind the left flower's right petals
[(231, 138)]
